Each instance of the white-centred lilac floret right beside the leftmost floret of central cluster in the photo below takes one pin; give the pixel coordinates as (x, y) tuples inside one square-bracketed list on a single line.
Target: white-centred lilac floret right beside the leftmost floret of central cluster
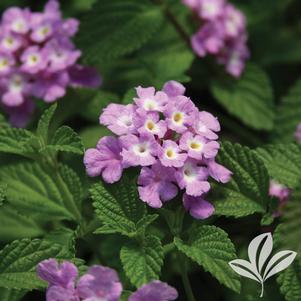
[(139, 150)]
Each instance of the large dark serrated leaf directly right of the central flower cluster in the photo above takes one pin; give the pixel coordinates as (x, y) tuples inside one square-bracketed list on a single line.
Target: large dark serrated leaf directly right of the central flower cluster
[(247, 192)]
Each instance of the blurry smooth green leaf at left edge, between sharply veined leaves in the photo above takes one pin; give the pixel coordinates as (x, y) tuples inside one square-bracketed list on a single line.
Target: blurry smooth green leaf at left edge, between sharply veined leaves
[(15, 225)]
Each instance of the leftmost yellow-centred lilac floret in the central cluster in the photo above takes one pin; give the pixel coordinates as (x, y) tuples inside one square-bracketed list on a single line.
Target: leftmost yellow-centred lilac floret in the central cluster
[(150, 123)]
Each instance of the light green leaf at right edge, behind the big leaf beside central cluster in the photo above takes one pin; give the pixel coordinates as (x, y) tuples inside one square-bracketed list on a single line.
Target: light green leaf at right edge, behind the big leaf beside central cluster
[(282, 162)]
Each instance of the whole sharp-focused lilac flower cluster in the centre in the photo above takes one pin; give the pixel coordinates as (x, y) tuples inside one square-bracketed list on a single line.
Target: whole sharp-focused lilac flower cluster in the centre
[(173, 142)]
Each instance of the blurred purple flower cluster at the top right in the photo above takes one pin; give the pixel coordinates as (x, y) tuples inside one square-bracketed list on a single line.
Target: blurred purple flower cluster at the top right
[(222, 33)]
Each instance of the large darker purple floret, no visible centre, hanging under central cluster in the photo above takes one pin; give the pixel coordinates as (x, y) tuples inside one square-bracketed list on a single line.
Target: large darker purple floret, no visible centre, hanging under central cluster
[(157, 185)]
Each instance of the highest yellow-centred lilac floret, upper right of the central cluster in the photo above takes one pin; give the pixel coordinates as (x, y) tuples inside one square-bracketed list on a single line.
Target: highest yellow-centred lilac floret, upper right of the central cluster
[(180, 114)]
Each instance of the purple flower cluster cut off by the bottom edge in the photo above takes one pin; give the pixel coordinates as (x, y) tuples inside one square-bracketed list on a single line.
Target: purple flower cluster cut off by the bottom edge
[(99, 283)]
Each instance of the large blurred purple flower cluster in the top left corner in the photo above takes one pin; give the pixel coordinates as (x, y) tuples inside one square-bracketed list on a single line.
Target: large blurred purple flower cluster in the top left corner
[(38, 59)]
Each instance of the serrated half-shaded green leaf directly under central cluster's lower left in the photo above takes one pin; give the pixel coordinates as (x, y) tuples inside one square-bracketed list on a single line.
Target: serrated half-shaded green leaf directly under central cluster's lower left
[(118, 206)]
